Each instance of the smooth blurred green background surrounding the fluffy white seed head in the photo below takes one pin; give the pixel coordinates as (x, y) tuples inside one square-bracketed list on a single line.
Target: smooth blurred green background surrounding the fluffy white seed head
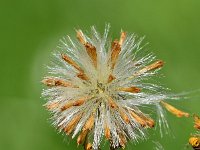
[(30, 31)]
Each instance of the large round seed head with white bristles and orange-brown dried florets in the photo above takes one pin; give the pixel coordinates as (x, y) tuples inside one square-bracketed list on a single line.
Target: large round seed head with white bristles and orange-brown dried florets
[(98, 88)]
